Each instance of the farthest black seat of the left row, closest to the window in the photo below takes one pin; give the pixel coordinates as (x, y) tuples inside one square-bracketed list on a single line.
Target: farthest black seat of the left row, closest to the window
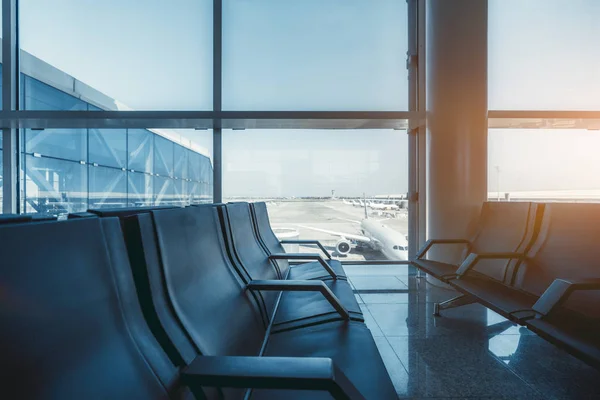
[(267, 238)]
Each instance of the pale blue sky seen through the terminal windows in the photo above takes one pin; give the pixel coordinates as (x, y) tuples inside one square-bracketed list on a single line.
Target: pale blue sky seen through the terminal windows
[(328, 55)]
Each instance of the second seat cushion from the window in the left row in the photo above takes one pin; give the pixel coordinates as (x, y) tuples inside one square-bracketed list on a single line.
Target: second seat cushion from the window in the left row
[(305, 308)]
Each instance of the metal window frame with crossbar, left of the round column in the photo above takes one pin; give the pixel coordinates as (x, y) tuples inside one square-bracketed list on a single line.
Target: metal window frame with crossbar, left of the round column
[(15, 119)]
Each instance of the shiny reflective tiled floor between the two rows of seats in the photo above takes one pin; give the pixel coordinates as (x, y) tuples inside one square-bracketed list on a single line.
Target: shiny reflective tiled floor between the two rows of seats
[(470, 352)]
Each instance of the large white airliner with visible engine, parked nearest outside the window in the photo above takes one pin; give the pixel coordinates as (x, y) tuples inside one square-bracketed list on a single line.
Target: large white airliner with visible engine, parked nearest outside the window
[(391, 243)]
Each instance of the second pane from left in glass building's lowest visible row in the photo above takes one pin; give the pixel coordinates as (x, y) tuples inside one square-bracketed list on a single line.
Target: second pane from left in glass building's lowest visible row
[(108, 187)]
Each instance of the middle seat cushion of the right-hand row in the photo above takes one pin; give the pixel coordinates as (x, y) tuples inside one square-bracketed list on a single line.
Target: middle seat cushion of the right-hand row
[(495, 295)]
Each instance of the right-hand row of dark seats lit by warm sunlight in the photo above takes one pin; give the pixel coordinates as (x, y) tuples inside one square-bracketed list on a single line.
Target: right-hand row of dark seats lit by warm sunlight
[(535, 264)]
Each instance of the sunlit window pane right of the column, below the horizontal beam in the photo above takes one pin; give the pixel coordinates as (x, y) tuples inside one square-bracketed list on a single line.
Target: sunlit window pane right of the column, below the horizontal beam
[(544, 164)]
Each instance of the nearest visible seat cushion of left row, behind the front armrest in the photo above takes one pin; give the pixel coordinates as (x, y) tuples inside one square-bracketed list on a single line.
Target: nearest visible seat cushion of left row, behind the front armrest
[(352, 349)]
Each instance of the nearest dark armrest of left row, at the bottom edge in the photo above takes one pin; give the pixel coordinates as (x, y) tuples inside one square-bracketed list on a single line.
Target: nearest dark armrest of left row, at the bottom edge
[(295, 373)]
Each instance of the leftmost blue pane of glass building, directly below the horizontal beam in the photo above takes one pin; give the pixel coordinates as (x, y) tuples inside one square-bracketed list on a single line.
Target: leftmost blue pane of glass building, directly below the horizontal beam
[(69, 144)]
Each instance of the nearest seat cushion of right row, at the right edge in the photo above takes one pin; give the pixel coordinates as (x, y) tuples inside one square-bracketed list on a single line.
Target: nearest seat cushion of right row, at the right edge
[(578, 336)]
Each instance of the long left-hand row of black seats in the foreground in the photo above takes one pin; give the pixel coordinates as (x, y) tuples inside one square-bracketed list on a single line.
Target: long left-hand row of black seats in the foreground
[(177, 303)]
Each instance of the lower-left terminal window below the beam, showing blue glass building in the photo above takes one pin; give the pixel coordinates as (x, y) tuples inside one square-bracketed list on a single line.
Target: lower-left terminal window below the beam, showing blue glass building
[(57, 181)]
